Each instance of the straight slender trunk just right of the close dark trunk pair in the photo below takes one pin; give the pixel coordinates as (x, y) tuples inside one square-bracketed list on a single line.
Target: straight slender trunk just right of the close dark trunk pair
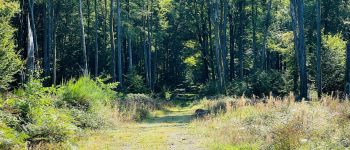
[(319, 71)]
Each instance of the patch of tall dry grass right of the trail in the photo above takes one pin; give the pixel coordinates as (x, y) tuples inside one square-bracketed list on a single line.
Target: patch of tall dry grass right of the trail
[(275, 123)]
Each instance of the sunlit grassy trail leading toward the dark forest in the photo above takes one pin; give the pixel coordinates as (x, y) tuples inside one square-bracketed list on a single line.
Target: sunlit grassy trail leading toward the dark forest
[(170, 130)]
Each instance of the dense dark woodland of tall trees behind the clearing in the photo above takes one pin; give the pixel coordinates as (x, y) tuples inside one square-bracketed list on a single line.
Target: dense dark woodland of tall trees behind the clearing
[(227, 46)]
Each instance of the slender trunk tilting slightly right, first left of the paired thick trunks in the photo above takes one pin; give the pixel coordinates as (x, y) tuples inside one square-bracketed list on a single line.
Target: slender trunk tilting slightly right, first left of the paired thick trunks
[(267, 25)]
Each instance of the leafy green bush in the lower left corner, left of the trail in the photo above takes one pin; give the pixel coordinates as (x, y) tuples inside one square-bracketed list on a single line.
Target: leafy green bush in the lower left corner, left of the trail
[(32, 111)]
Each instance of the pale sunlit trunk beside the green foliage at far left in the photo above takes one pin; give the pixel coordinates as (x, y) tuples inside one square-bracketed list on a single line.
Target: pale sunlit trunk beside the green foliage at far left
[(30, 49)]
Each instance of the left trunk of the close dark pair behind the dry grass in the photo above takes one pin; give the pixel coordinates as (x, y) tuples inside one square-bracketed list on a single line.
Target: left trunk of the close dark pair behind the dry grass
[(296, 45)]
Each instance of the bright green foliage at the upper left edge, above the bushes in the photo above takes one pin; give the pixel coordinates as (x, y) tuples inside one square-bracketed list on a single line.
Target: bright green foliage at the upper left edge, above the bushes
[(10, 62)]
